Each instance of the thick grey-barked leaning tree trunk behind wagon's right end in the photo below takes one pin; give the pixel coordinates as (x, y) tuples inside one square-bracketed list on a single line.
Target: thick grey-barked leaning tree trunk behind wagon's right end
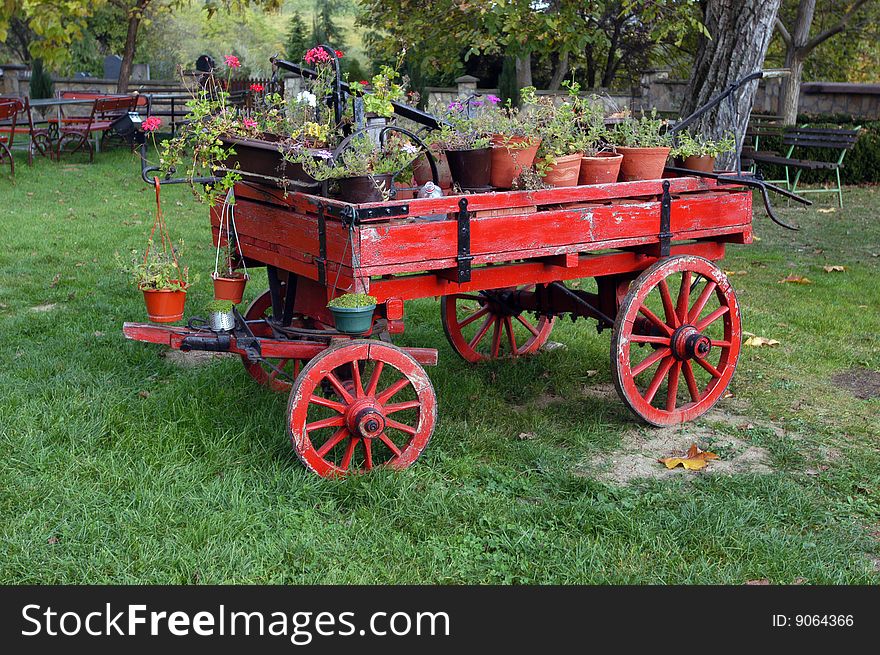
[(741, 31)]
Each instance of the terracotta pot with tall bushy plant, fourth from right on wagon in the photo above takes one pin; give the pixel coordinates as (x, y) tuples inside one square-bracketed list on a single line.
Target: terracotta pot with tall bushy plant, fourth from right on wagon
[(558, 159)]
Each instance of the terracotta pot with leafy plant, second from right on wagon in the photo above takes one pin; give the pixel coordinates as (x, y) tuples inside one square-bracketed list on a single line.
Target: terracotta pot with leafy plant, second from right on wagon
[(644, 145)]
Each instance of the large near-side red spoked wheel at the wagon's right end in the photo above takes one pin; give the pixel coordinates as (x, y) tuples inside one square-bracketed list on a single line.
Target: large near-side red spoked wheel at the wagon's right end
[(686, 346)]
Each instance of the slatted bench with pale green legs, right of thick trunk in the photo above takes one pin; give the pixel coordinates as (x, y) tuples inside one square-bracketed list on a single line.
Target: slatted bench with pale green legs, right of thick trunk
[(833, 140)]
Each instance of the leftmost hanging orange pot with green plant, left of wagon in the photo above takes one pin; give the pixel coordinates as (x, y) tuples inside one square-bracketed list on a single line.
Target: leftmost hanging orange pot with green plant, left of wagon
[(163, 282)]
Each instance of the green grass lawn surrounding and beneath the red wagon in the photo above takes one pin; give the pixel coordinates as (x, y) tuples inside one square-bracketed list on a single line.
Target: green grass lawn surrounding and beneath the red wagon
[(120, 465)]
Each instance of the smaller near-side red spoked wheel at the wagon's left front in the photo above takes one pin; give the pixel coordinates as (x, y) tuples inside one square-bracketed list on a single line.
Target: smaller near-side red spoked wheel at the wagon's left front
[(383, 416)]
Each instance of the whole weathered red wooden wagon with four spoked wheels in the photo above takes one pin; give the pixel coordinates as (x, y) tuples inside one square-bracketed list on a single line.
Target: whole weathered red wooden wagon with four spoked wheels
[(500, 263)]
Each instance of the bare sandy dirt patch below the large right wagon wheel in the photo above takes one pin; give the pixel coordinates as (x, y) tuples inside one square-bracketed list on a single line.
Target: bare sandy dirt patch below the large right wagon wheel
[(642, 446)]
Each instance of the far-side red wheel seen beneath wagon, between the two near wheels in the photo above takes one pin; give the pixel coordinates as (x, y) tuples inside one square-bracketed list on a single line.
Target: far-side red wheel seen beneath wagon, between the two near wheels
[(485, 326)]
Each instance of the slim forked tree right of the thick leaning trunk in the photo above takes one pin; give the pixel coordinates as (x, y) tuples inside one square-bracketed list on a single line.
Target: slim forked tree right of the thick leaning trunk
[(799, 45)]
